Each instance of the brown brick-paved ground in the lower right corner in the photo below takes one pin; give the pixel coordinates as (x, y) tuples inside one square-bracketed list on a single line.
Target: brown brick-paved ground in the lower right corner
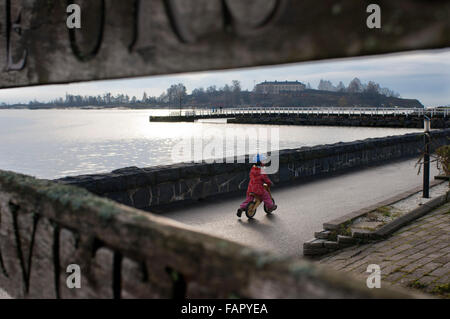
[(416, 256)]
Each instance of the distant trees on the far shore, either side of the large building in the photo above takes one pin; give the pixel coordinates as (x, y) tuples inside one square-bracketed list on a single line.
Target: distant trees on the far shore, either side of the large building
[(230, 95)]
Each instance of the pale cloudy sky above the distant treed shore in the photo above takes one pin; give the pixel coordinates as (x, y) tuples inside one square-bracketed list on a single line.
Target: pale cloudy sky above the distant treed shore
[(422, 75)]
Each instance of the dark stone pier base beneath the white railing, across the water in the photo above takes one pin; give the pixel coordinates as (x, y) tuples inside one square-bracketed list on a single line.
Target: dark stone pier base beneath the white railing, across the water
[(438, 122)]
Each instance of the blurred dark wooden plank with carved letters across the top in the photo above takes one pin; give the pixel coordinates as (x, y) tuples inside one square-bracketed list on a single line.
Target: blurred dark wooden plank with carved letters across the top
[(146, 37)]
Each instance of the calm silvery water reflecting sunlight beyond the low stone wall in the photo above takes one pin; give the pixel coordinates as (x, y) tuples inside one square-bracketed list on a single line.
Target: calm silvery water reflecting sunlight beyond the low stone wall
[(57, 143)]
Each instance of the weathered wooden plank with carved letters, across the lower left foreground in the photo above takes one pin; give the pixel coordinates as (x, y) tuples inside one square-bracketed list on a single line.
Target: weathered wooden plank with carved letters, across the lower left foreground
[(126, 253)]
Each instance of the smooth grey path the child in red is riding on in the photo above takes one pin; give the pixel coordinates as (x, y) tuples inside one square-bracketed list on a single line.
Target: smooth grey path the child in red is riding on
[(302, 208)]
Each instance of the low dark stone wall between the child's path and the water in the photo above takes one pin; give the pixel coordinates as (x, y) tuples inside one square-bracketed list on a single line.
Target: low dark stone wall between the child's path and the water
[(155, 187)]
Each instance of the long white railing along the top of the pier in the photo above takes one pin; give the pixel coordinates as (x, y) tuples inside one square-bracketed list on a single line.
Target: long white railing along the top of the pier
[(313, 110)]
